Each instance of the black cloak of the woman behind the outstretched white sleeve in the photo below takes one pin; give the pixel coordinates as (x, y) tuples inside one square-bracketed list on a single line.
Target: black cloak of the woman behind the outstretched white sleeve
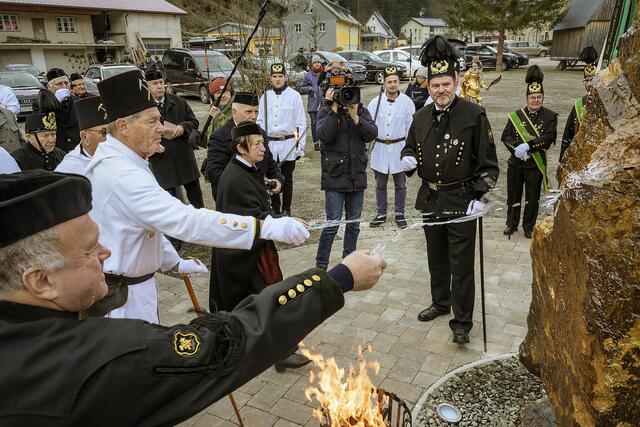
[(234, 272)]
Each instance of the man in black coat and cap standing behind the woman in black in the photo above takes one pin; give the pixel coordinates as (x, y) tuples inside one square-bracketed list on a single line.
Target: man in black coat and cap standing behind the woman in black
[(220, 152)]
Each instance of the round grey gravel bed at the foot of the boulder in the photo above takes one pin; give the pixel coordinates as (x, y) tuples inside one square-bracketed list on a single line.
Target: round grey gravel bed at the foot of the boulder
[(494, 394)]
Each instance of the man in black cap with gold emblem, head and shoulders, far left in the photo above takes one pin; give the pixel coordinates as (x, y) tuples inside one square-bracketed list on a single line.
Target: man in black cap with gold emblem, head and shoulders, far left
[(40, 152)]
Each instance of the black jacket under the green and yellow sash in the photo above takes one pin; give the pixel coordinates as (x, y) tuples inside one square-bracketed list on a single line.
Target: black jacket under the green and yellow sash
[(546, 121)]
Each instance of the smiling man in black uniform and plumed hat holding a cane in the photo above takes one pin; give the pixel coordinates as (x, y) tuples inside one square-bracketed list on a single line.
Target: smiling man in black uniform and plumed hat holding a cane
[(451, 144)]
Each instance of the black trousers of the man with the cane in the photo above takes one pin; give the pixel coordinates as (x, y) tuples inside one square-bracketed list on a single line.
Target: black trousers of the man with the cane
[(451, 254)]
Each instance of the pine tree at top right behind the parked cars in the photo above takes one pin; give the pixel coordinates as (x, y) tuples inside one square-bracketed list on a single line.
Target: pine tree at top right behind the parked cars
[(502, 16)]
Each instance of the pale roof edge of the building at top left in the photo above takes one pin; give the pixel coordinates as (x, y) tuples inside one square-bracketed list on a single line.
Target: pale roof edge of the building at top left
[(144, 6)]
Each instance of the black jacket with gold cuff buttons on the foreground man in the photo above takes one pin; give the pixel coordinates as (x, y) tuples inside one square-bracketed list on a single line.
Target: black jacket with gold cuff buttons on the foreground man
[(61, 371)]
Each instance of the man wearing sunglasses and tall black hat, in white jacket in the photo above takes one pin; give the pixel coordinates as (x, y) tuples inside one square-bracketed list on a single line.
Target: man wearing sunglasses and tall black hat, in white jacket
[(92, 120)]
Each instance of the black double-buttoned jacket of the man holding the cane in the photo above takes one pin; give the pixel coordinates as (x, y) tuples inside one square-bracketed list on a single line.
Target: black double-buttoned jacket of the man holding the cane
[(459, 151)]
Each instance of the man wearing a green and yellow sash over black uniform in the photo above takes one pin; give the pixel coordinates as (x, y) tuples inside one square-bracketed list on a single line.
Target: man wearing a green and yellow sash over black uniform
[(530, 131)]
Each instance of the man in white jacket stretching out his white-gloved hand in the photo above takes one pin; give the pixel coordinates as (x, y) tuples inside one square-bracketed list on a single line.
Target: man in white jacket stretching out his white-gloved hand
[(134, 212)]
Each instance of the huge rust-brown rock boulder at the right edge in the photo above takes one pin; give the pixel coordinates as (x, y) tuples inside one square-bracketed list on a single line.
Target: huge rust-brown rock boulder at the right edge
[(584, 321)]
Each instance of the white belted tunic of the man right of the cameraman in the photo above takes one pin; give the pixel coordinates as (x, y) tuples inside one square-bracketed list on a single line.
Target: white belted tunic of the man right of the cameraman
[(393, 121)]
